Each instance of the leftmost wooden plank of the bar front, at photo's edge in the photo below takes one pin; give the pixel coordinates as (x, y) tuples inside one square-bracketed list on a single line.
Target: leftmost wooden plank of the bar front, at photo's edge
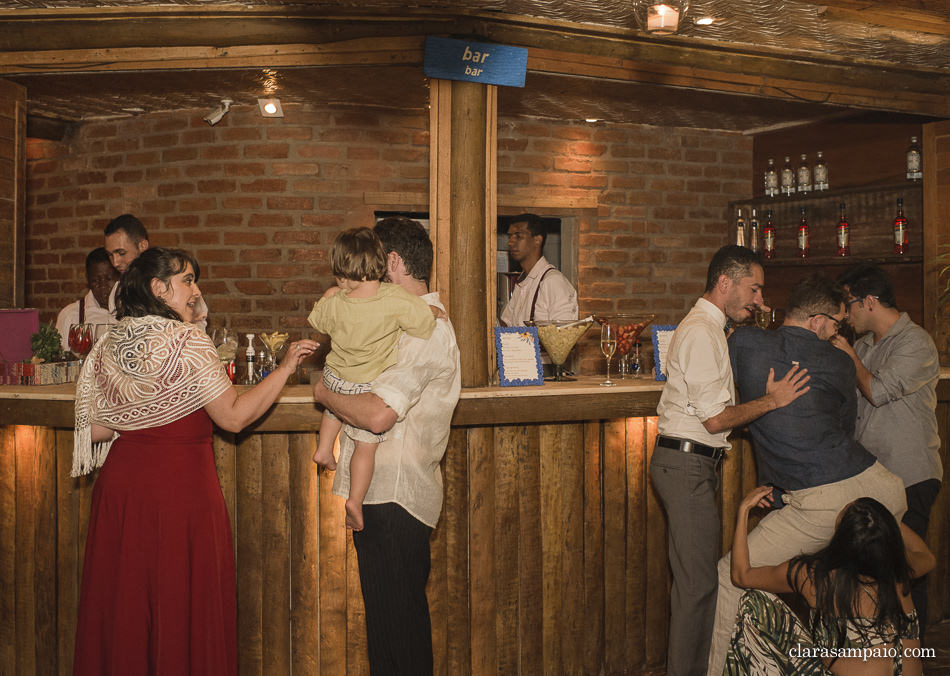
[(8, 554)]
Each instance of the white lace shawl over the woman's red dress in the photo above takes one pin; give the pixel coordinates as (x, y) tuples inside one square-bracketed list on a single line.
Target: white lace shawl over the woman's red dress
[(145, 372)]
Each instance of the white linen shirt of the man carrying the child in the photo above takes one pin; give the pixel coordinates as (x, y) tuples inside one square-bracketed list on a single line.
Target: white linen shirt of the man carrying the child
[(422, 388)]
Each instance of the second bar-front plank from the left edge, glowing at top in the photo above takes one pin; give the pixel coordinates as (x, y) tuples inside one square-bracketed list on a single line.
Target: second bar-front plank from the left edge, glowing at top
[(25, 542)]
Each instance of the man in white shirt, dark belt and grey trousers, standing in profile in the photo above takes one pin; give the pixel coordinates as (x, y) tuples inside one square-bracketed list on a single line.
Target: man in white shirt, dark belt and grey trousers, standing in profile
[(697, 410)]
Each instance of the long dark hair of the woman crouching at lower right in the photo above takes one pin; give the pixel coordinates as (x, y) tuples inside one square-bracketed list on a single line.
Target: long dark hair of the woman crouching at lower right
[(867, 547)]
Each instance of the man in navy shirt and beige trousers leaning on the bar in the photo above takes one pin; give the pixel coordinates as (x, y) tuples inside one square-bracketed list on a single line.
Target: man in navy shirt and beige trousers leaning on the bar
[(806, 448)]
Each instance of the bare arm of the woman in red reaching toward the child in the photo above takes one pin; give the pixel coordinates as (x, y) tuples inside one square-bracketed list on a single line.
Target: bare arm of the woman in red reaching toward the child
[(233, 412)]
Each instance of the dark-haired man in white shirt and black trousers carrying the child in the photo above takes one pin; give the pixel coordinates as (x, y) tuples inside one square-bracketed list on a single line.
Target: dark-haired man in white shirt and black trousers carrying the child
[(413, 403)]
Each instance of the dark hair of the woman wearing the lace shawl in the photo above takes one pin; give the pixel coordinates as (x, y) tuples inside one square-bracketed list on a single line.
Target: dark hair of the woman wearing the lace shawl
[(134, 297)]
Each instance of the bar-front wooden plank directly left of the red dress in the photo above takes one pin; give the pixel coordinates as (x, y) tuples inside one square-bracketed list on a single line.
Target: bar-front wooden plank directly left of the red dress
[(68, 554)]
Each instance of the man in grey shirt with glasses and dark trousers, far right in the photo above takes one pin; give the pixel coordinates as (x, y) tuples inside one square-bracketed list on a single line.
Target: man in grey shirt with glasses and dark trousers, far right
[(897, 369)]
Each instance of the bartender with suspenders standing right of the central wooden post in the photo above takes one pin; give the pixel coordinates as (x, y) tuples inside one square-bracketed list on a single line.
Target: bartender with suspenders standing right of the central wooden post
[(542, 292)]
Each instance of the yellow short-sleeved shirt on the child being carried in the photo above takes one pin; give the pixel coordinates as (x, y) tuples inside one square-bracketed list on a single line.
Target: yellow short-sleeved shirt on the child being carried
[(364, 332)]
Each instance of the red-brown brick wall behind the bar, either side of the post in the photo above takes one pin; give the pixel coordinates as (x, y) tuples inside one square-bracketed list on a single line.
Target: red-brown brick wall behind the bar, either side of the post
[(258, 201)]
